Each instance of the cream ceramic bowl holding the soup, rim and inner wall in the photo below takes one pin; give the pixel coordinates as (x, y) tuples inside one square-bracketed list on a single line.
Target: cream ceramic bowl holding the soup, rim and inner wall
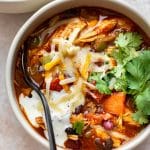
[(40, 16)]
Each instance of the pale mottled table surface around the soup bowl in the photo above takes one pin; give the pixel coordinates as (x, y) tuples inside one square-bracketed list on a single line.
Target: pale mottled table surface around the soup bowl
[(12, 135)]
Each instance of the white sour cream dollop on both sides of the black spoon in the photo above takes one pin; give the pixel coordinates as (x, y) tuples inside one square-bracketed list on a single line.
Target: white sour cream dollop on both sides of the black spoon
[(60, 112)]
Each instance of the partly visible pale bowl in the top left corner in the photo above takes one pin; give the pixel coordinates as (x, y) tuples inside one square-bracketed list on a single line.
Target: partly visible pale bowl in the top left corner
[(21, 6)]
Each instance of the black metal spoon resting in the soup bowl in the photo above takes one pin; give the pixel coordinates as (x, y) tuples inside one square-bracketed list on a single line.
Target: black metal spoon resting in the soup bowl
[(36, 87)]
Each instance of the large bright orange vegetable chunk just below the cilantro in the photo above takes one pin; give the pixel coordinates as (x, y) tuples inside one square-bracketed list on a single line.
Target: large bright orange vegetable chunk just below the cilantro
[(115, 104)]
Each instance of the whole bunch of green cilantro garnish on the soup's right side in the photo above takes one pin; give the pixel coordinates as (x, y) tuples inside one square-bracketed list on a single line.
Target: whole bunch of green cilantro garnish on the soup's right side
[(132, 74)]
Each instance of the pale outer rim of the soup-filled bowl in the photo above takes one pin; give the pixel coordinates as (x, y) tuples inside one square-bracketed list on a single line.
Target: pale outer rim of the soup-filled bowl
[(9, 77)]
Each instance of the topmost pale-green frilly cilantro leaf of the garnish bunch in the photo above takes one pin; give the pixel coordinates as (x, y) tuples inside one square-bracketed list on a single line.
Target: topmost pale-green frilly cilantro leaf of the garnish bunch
[(127, 44)]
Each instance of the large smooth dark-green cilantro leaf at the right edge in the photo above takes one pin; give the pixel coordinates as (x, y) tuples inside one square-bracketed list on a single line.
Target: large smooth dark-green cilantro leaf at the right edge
[(138, 71)]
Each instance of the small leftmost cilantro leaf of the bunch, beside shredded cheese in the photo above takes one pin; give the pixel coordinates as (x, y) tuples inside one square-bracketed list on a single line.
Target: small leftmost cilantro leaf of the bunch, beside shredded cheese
[(101, 85)]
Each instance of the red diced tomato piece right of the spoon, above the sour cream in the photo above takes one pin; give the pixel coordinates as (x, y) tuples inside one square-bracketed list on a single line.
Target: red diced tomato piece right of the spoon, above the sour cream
[(55, 86)]
